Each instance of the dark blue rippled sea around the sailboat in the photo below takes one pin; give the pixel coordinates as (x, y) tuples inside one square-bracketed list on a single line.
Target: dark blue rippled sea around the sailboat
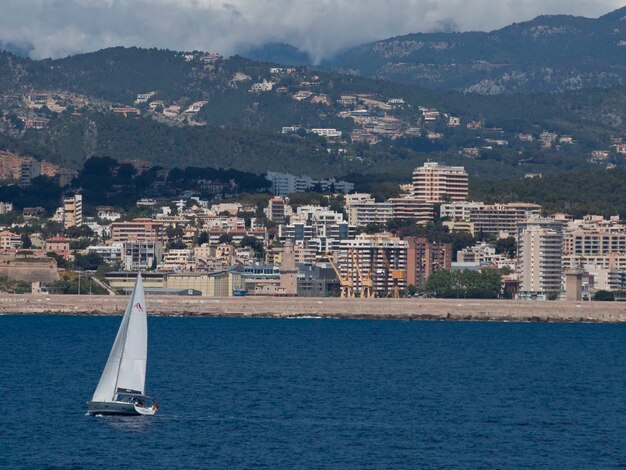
[(242, 393)]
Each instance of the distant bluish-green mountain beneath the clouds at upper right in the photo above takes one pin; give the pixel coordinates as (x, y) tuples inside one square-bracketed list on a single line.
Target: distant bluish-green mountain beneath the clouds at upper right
[(547, 54)]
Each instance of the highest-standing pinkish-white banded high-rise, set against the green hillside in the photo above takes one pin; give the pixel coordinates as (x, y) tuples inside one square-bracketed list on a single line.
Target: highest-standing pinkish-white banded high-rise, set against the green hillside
[(439, 183)]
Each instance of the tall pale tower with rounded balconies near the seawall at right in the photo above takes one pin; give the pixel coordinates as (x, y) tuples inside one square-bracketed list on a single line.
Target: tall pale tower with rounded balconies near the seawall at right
[(539, 255)]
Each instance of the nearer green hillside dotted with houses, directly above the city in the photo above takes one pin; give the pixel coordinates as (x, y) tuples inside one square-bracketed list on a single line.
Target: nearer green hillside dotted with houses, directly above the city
[(197, 109)]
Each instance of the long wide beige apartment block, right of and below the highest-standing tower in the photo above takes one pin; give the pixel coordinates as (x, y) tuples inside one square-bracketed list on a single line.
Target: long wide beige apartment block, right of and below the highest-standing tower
[(498, 219)]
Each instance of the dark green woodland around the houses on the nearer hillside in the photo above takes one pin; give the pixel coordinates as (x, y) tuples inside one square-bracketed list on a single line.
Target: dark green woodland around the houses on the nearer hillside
[(242, 130)]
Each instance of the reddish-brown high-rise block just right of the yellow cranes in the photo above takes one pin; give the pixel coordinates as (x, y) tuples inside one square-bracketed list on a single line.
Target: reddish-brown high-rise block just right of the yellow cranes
[(424, 258)]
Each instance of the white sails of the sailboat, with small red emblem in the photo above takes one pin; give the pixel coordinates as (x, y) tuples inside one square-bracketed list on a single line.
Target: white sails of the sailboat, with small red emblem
[(126, 365)]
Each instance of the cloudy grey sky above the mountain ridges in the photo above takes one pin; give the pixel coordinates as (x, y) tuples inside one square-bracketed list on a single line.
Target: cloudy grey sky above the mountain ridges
[(58, 28)]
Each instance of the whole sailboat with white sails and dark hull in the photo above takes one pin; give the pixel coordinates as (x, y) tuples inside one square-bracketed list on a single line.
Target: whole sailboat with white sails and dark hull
[(121, 389)]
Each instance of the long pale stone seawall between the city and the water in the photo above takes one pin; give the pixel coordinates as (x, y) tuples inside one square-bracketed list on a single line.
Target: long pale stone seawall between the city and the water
[(285, 307)]
